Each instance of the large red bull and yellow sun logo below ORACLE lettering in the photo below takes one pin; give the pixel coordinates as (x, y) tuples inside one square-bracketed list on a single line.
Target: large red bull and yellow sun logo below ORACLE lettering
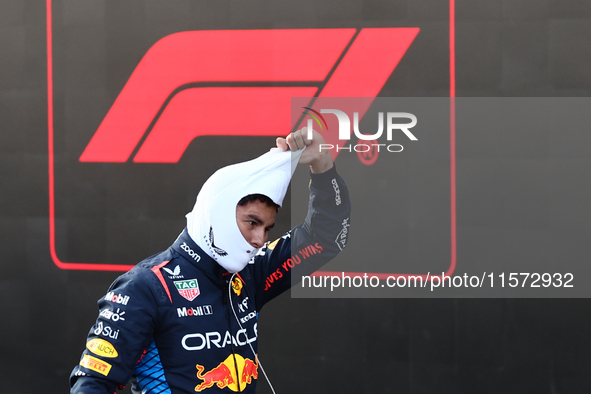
[(235, 372)]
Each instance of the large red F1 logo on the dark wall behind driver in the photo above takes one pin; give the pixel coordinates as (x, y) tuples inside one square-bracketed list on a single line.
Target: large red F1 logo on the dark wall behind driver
[(236, 83)]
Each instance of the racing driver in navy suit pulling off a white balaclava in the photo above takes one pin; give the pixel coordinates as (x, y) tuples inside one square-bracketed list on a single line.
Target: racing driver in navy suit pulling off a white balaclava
[(185, 320)]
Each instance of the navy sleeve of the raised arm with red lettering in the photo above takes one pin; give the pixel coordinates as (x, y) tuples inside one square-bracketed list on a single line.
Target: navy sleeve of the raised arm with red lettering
[(308, 246)]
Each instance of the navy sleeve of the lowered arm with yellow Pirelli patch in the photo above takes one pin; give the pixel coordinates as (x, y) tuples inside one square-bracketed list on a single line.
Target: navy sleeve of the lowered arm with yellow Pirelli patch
[(123, 330)]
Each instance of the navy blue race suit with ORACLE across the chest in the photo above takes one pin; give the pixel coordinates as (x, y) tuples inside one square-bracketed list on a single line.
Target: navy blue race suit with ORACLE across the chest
[(179, 323)]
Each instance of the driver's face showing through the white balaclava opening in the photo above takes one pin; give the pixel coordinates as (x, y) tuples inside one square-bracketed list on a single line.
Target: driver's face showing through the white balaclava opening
[(255, 219)]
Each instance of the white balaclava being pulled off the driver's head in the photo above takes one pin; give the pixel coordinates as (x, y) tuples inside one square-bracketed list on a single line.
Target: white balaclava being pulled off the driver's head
[(212, 222)]
